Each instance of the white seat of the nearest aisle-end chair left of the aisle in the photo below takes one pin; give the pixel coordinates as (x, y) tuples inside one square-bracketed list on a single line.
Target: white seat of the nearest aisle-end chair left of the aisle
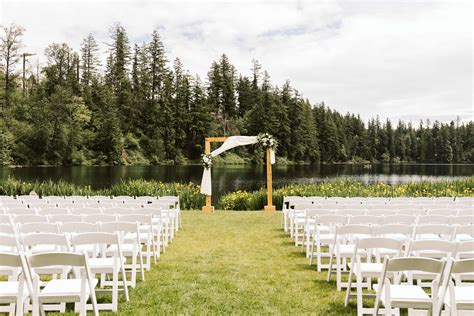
[(63, 290)]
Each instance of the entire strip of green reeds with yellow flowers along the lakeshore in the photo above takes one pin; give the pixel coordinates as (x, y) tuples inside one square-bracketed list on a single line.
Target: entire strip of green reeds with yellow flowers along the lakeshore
[(191, 199)]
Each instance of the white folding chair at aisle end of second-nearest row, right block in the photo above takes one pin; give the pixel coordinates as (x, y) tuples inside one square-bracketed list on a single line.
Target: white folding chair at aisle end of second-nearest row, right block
[(371, 268)]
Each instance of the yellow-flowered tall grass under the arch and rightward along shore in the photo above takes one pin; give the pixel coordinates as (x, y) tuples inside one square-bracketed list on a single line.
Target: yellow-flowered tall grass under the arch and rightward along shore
[(242, 200)]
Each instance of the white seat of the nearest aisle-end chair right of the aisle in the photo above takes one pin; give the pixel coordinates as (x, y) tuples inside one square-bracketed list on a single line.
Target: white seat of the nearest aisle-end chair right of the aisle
[(406, 296)]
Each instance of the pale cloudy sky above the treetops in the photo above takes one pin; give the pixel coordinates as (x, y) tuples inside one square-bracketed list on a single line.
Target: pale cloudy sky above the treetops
[(398, 59)]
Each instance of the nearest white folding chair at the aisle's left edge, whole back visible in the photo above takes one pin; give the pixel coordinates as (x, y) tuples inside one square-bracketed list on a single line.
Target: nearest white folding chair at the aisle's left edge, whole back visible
[(76, 290)]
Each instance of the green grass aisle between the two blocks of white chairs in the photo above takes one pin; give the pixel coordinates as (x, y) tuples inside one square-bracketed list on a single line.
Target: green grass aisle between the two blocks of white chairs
[(234, 263)]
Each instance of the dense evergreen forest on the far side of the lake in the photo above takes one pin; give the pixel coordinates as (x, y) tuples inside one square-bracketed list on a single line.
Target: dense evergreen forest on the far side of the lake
[(138, 107)]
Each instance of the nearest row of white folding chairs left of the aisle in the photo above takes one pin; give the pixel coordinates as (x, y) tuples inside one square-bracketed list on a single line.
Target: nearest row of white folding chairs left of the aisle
[(23, 292)]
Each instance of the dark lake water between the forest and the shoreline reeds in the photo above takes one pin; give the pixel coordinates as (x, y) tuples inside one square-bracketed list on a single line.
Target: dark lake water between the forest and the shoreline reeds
[(242, 177)]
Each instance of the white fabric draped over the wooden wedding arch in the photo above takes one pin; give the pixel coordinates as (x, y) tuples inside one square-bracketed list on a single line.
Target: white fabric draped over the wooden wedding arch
[(231, 142)]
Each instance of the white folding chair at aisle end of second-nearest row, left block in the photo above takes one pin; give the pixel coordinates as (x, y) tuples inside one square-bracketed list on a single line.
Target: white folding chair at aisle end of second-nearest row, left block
[(104, 263)]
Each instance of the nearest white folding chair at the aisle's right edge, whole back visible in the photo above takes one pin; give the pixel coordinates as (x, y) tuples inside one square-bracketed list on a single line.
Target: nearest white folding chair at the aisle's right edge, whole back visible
[(394, 295)]
